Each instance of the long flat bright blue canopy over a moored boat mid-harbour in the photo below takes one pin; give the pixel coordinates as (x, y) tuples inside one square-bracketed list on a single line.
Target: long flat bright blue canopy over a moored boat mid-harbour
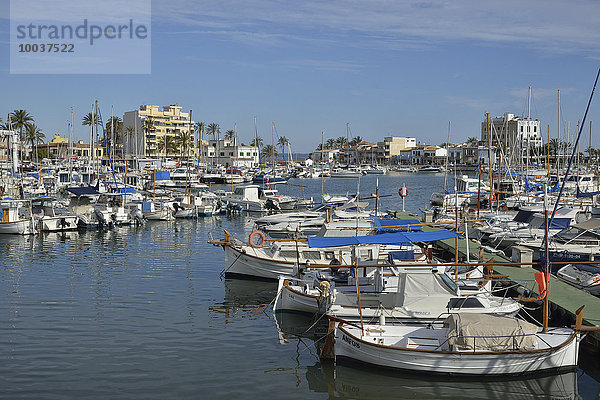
[(403, 238)]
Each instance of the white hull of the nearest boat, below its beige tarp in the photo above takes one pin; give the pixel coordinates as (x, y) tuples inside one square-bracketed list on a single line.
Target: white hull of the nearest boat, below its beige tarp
[(349, 346)]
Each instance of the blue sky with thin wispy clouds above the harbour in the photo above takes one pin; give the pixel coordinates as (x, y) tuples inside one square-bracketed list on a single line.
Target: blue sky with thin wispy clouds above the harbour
[(401, 68)]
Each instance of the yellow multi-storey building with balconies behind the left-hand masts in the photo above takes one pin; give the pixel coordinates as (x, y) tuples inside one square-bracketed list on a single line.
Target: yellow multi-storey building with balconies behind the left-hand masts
[(153, 132)]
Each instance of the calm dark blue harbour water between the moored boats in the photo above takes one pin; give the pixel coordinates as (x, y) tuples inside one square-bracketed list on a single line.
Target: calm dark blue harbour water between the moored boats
[(142, 313)]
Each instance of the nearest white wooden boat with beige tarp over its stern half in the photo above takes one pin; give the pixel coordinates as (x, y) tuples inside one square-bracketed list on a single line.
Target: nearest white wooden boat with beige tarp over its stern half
[(468, 344)]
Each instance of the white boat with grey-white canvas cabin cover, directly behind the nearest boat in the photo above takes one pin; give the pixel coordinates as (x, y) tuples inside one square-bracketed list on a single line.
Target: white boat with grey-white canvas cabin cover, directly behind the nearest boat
[(414, 294)]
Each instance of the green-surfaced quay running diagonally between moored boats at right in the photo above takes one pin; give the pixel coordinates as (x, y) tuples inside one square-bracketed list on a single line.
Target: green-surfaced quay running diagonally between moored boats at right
[(564, 298)]
